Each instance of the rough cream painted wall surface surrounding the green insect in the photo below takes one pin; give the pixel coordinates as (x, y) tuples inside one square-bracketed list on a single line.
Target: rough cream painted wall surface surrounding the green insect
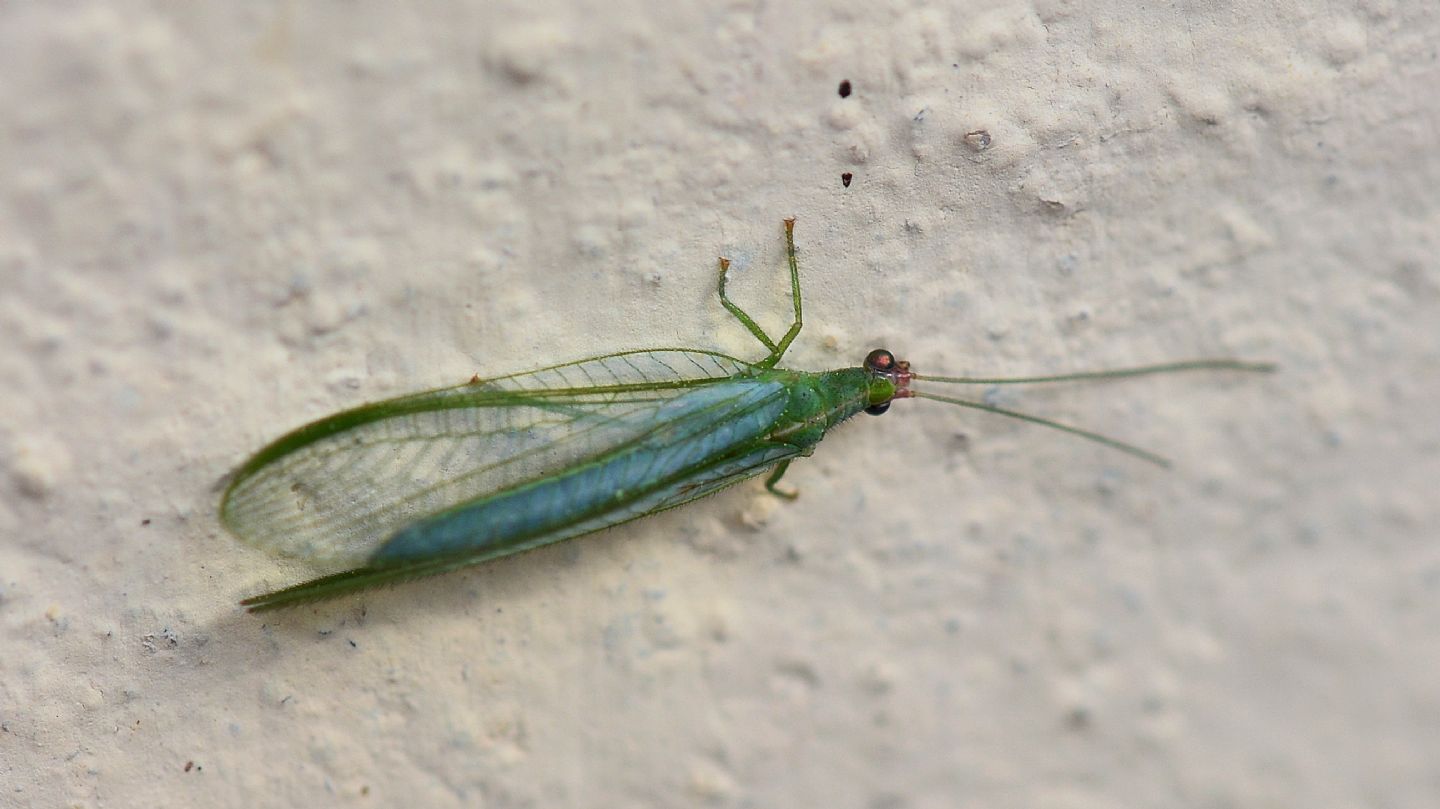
[(218, 225)]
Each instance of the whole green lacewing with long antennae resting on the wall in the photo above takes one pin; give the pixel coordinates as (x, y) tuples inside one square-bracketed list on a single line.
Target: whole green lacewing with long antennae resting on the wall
[(449, 479)]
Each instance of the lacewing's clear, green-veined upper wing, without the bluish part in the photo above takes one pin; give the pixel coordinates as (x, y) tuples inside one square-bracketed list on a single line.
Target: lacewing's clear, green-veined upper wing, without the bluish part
[(335, 490)]
